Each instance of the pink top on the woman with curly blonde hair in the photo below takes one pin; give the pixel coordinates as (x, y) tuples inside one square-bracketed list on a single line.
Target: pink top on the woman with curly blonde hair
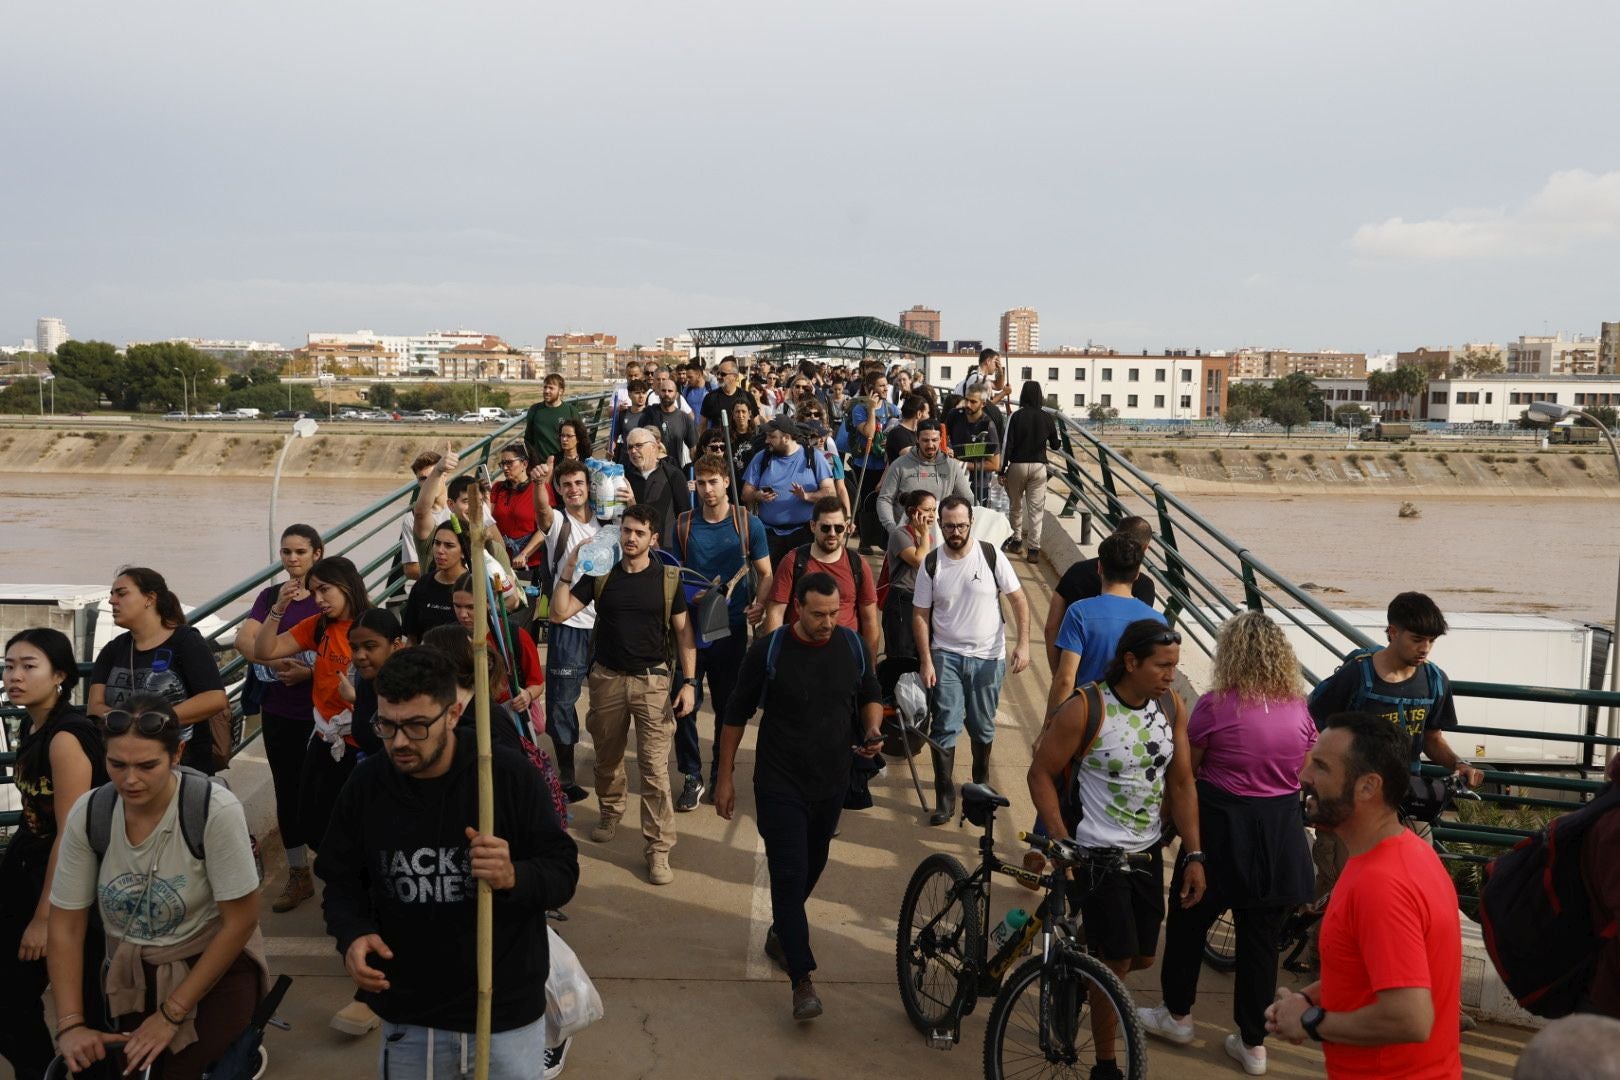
[(1251, 749)]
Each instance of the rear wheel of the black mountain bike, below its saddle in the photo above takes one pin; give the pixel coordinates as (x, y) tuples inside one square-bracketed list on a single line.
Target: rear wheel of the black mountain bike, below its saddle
[(939, 937)]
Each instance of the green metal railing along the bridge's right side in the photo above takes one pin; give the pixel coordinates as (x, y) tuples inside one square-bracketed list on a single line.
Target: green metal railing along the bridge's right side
[(1208, 577)]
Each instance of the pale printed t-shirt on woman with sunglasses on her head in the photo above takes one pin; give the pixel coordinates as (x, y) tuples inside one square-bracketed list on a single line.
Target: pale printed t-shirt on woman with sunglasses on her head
[(184, 891)]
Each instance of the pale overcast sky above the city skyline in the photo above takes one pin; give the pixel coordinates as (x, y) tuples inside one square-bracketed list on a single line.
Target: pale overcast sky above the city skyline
[(1368, 176)]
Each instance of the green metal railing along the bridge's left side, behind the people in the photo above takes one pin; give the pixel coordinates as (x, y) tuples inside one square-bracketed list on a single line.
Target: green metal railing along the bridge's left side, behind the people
[(347, 538)]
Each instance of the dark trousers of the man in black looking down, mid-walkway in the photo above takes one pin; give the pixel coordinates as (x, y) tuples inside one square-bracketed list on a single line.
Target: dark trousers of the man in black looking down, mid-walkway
[(798, 836)]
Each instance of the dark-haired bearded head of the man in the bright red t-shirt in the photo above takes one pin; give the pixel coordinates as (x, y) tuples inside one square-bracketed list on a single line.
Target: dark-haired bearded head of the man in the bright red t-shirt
[(1357, 772)]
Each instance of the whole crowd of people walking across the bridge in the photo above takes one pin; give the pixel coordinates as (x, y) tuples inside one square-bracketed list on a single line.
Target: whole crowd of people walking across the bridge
[(749, 504)]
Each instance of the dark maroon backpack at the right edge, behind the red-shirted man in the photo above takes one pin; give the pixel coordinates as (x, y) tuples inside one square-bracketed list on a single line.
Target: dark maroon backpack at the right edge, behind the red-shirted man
[(1538, 919)]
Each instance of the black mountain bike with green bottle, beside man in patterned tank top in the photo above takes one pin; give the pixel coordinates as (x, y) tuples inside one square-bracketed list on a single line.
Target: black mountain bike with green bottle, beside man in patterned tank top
[(1039, 1023)]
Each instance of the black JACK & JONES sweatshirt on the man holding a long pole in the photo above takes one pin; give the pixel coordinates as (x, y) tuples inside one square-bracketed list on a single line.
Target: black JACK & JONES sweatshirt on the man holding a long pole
[(396, 864)]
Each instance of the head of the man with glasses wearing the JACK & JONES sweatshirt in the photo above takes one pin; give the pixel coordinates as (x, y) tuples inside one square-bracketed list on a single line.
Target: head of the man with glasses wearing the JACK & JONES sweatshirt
[(417, 712)]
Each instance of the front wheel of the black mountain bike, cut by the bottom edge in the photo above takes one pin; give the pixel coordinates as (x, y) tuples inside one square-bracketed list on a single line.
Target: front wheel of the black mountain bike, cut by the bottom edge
[(1080, 992)]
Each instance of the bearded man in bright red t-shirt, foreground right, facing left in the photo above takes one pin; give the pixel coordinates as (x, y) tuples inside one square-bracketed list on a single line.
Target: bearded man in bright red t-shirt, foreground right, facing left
[(1392, 950)]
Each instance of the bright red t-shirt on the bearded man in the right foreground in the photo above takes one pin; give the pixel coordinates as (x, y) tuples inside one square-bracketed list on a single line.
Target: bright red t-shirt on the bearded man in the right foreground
[(1392, 924)]
